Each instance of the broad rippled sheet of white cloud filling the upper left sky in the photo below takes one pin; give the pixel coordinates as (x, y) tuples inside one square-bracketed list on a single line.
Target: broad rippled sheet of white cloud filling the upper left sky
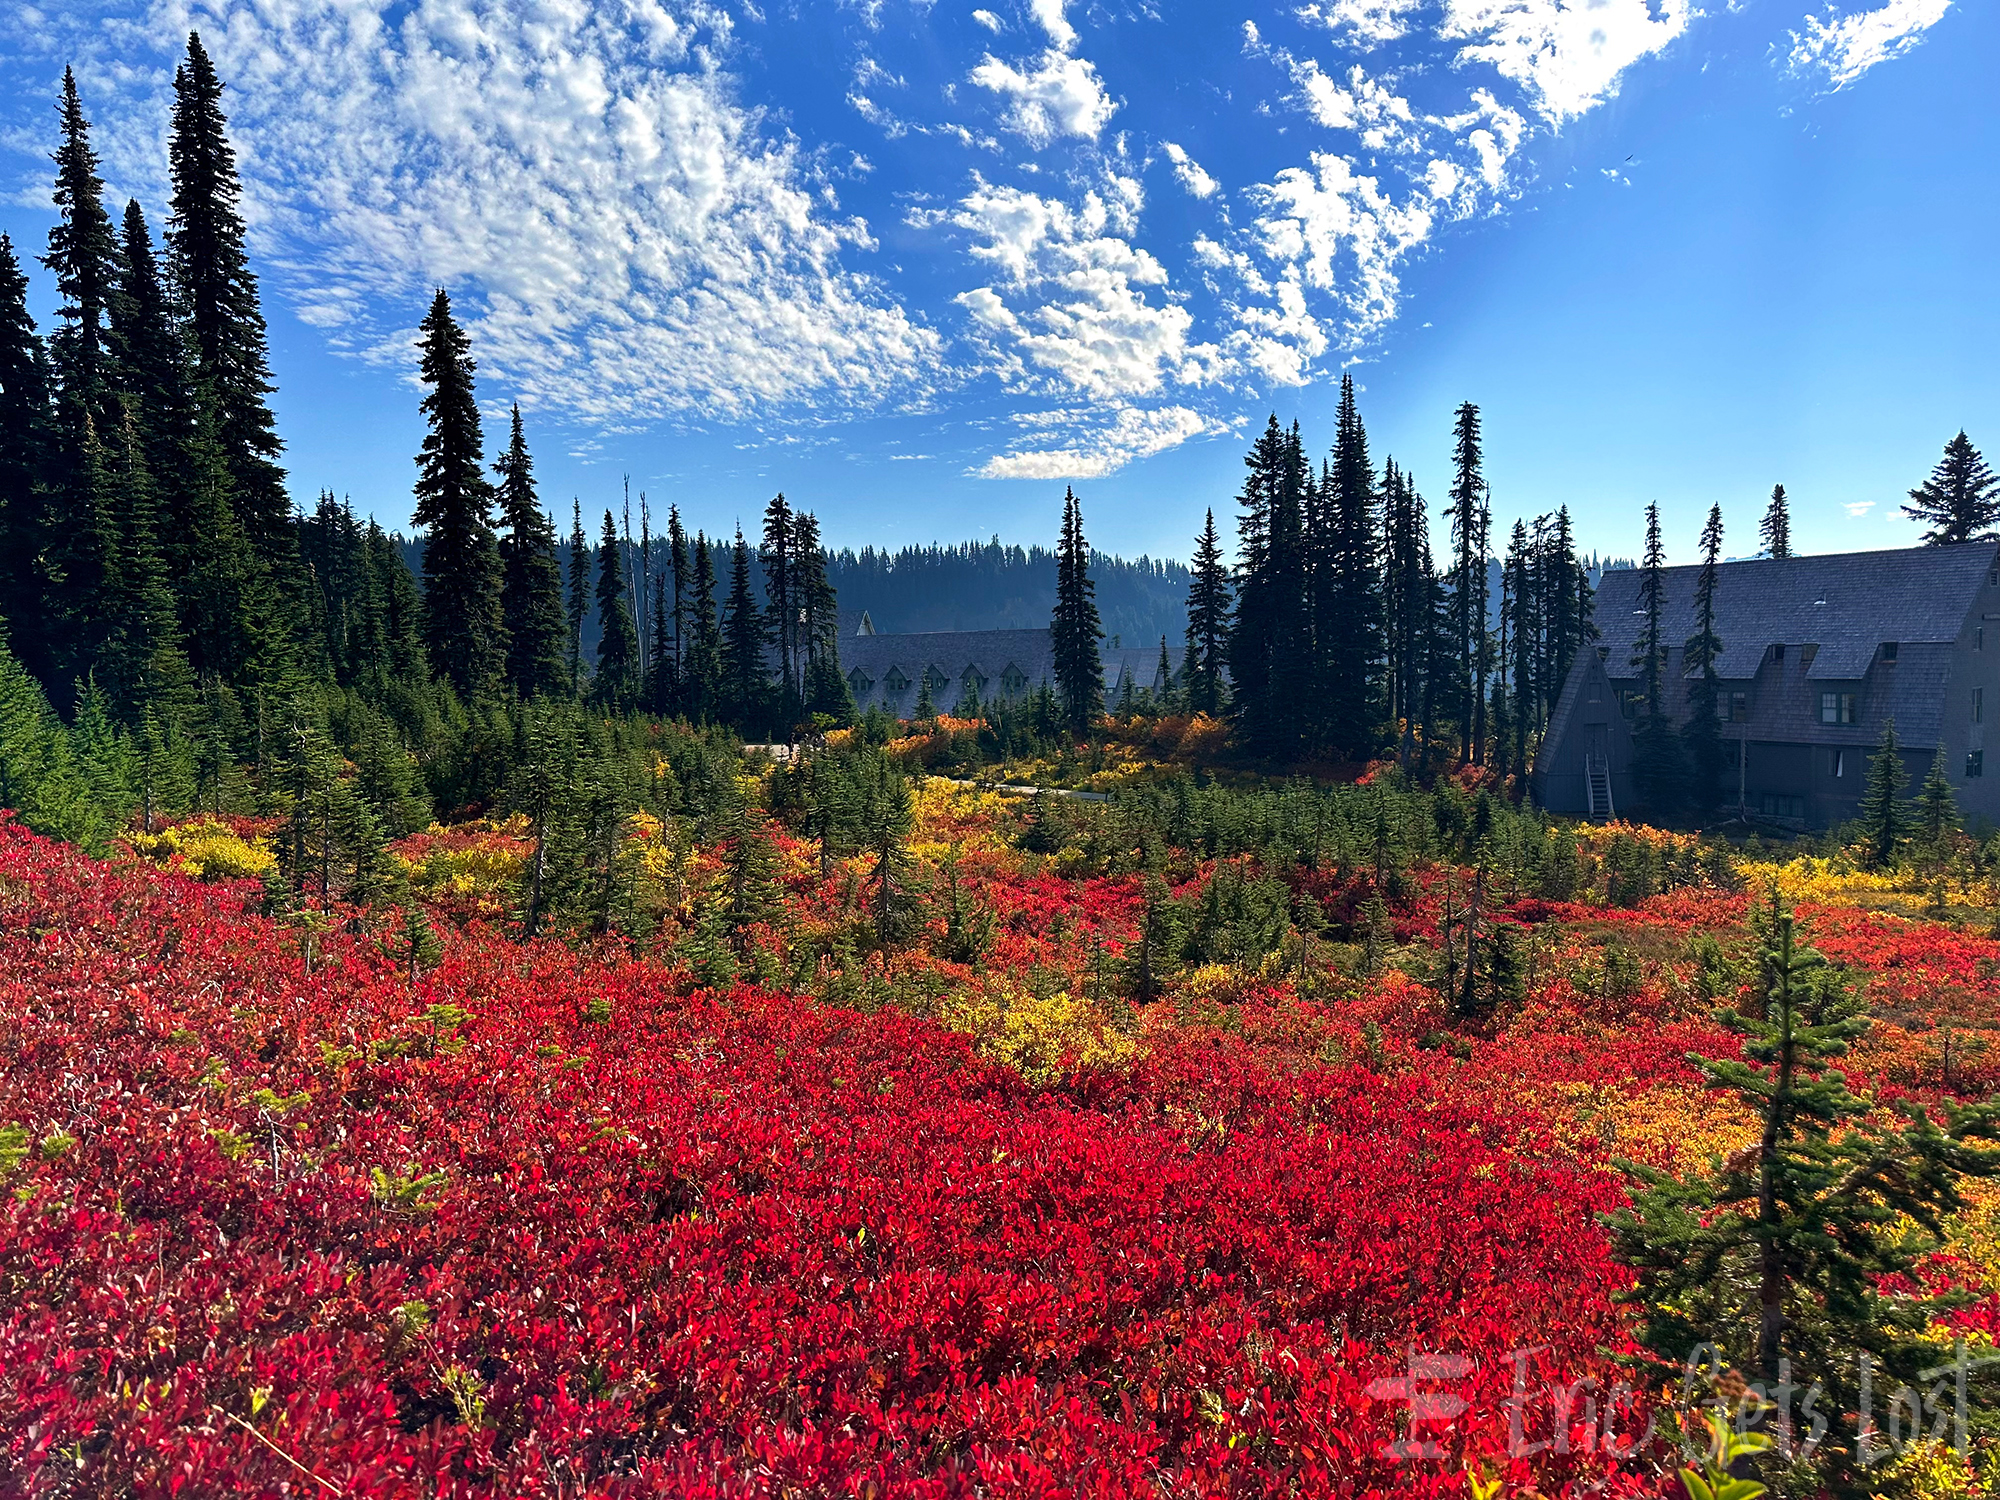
[(623, 239)]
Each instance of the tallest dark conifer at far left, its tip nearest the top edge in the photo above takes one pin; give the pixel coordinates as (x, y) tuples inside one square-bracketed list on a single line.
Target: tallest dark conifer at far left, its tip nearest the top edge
[(225, 315)]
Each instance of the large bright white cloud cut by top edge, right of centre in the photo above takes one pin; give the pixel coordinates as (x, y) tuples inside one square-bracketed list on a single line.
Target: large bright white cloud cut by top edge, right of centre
[(1567, 57)]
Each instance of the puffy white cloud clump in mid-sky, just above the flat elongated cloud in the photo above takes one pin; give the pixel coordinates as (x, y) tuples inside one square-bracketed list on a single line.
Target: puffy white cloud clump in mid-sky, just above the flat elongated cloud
[(1075, 305)]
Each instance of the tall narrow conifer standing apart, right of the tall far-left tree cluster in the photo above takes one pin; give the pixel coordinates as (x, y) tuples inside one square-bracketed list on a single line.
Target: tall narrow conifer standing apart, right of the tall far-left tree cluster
[(463, 629)]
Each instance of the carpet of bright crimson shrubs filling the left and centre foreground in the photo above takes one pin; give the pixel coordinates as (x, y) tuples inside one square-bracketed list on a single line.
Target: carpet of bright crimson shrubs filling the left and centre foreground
[(557, 1225)]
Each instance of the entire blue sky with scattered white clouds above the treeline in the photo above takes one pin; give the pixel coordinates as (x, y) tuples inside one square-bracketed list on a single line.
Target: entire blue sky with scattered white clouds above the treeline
[(923, 265)]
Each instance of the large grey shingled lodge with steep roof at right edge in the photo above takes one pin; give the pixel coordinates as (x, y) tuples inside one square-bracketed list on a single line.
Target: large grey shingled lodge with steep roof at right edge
[(1817, 657)]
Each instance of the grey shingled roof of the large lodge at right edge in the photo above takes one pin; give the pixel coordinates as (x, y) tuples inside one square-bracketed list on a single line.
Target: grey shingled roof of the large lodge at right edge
[(1843, 603)]
